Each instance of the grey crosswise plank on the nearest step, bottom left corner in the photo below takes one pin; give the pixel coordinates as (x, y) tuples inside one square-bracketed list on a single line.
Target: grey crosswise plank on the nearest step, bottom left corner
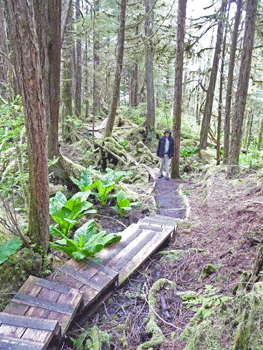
[(27, 322)]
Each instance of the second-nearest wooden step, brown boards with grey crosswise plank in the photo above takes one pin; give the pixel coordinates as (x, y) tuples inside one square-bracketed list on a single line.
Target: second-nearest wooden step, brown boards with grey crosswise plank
[(44, 299)]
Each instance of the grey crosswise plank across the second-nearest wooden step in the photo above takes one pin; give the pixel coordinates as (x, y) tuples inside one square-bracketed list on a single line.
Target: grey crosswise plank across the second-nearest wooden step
[(49, 305)]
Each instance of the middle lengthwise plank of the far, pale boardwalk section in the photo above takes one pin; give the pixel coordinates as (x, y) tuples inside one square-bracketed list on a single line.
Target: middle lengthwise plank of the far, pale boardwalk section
[(132, 249)]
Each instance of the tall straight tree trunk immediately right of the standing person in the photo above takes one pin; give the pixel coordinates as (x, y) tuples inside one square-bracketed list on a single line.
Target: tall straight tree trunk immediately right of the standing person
[(177, 107)]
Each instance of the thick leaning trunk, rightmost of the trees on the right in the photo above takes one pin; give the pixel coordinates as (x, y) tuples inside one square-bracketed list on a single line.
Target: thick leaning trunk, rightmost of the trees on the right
[(242, 85)]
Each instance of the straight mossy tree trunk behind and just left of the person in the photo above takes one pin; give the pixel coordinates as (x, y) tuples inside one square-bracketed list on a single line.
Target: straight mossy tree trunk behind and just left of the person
[(149, 54)]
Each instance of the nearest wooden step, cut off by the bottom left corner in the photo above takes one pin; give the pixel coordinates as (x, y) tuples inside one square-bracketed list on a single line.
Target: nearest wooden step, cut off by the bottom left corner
[(27, 333)]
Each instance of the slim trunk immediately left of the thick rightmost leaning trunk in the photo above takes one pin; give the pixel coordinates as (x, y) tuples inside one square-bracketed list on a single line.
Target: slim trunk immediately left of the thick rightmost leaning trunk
[(230, 81)]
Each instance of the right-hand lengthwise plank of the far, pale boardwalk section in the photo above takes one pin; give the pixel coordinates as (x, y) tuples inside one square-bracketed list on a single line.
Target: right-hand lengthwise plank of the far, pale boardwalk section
[(143, 254)]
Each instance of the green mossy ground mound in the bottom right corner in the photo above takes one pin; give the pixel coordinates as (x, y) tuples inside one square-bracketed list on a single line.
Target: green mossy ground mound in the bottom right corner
[(235, 324)]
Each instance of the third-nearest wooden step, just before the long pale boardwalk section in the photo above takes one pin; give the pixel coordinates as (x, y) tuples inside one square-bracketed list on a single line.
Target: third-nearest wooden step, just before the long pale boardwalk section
[(89, 277)]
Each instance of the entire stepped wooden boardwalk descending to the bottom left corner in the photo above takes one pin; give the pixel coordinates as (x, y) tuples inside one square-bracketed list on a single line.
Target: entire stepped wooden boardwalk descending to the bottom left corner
[(43, 310)]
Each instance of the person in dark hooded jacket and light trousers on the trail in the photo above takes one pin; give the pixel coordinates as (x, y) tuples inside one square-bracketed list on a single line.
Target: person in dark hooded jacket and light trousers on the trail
[(165, 152)]
